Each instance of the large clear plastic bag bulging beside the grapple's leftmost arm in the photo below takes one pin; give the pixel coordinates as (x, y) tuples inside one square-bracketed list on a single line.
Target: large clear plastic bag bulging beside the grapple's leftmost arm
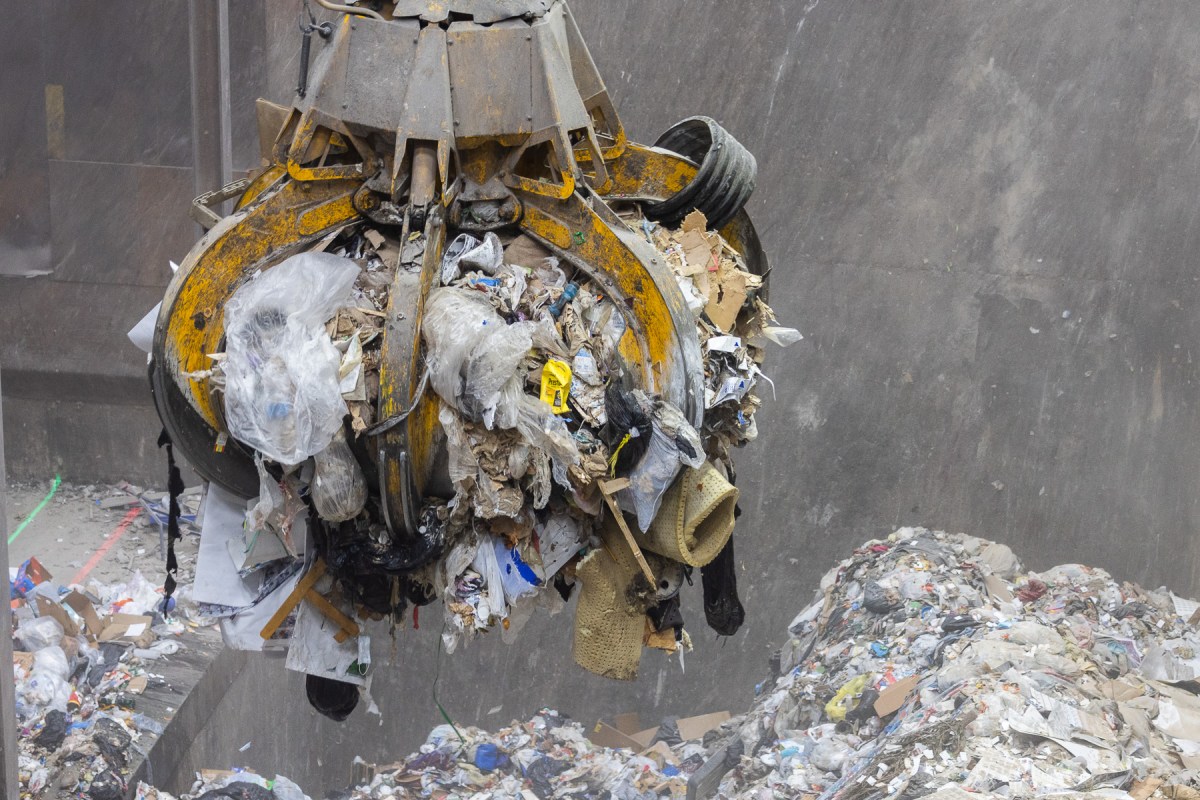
[(283, 394)]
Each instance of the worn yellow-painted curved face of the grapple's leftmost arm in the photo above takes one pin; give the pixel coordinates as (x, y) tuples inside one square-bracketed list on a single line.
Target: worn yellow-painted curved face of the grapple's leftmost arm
[(284, 219)]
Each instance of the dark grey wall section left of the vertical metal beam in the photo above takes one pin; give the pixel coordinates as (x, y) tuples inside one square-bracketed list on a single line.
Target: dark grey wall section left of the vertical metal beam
[(95, 178)]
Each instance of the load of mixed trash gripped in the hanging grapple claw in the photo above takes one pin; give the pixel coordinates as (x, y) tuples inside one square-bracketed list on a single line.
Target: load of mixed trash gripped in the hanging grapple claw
[(549, 442)]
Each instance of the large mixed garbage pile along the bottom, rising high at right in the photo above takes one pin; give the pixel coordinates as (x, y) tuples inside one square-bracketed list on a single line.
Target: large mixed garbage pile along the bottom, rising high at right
[(928, 666)]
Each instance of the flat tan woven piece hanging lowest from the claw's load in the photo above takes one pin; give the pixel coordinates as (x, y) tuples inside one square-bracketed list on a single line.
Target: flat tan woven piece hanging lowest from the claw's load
[(608, 628)]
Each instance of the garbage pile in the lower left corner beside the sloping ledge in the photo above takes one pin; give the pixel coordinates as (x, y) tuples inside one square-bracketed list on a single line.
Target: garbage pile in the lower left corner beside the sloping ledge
[(83, 657)]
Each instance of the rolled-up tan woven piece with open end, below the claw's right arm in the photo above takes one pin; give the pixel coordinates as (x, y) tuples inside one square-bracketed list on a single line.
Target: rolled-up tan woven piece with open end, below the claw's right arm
[(695, 520)]
